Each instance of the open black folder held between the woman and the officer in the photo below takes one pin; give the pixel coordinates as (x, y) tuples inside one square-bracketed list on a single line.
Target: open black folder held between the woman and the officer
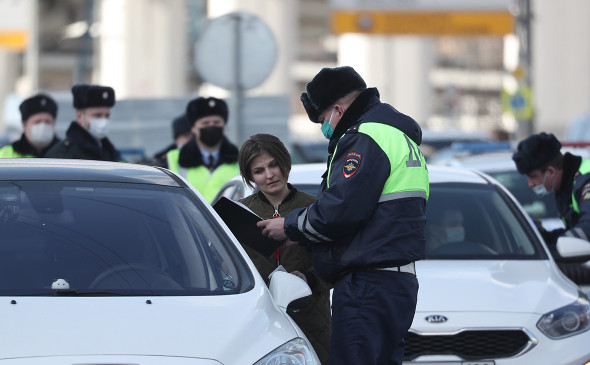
[(242, 222)]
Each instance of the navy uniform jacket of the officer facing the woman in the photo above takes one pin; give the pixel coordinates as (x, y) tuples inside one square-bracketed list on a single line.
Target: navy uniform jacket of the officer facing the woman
[(350, 229)]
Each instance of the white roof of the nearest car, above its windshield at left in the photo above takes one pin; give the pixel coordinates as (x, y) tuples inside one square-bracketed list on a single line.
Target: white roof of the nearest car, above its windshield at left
[(82, 170)]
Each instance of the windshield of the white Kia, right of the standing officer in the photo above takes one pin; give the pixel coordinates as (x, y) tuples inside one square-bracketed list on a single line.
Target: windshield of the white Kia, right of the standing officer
[(468, 221)]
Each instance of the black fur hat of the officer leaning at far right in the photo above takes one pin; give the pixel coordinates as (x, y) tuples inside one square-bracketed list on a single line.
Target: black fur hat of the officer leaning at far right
[(535, 152)]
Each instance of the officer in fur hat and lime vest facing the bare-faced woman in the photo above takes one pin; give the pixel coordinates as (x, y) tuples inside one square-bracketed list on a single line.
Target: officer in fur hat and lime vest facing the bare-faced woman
[(366, 227)]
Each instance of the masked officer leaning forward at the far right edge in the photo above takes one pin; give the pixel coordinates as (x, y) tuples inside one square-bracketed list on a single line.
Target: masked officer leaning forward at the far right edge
[(548, 171)]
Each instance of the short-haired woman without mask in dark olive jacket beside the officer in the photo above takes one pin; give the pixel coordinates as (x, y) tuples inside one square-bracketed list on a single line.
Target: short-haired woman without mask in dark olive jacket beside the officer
[(265, 163)]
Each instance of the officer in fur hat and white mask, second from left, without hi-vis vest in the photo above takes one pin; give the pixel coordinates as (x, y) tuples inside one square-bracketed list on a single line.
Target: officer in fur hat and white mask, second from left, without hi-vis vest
[(87, 136)]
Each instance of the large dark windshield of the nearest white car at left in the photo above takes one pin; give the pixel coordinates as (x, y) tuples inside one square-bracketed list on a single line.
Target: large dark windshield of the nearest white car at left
[(128, 239)]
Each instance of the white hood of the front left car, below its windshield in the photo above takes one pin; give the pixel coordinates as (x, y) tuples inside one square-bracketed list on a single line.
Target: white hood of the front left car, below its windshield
[(192, 327)]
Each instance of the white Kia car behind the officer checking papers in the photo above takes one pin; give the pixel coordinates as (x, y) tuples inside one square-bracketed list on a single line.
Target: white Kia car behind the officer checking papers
[(490, 292)]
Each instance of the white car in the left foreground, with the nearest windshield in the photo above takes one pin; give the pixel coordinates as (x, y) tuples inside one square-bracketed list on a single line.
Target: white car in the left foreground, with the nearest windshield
[(112, 263)]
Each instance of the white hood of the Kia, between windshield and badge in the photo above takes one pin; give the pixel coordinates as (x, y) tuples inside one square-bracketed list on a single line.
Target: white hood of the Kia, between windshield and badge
[(492, 286)]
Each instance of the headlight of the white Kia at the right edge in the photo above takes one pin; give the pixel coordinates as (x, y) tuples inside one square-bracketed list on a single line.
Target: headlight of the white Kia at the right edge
[(566, 321)]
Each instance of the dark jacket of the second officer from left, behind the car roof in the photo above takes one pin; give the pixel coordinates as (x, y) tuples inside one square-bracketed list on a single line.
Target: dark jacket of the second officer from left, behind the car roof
[(79, 144)]
